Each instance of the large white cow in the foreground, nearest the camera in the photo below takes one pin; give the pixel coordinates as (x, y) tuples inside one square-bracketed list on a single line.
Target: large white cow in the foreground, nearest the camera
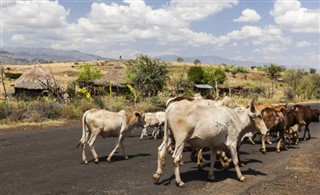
[(206, 126)]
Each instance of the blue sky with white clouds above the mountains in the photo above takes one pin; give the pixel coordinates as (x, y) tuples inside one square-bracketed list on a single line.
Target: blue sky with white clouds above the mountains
[(285, 32)]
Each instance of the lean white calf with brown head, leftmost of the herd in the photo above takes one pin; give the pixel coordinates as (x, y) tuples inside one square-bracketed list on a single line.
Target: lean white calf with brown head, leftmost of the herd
[(107, 124)]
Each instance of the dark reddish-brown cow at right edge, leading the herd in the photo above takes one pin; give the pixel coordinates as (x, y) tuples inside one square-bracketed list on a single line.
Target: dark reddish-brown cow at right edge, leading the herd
[(308, 115)]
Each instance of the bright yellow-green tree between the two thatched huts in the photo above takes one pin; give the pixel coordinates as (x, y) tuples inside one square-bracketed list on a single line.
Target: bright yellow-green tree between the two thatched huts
[(88, 73)]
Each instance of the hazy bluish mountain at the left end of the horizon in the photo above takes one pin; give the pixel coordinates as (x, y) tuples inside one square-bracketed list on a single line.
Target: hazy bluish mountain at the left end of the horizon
[(43, 55)]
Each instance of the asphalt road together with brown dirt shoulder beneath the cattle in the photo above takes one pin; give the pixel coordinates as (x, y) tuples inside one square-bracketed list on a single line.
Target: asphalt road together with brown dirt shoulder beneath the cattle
[(45, 161)]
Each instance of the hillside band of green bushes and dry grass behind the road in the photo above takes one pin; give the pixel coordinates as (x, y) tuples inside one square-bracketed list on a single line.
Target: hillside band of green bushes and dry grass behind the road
[(152, 82)]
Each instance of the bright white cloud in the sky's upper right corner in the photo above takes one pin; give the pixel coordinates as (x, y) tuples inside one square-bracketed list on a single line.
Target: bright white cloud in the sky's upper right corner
[(290, 15)]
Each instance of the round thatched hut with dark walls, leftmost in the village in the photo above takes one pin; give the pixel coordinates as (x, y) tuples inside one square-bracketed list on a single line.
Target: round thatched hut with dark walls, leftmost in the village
[(35, 81)]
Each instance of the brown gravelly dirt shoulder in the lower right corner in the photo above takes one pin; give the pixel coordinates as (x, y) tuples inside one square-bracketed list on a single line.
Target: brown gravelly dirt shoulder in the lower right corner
[(301, 175)]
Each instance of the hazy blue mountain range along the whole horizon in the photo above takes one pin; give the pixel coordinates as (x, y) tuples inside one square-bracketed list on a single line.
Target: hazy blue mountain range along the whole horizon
[(23, 55)]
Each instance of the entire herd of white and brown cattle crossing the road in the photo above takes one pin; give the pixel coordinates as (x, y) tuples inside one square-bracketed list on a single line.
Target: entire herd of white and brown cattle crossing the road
[(219, 125)]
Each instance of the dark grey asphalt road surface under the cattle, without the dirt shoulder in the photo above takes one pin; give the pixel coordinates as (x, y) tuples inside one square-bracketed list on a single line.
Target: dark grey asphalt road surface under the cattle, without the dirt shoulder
[(45, 161)]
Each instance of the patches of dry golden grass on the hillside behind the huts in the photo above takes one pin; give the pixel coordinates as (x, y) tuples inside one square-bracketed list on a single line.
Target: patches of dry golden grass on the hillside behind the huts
[(66, 73)]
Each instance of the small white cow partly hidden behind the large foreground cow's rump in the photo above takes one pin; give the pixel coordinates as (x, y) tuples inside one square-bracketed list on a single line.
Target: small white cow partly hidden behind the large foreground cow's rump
[(152, 119)]
